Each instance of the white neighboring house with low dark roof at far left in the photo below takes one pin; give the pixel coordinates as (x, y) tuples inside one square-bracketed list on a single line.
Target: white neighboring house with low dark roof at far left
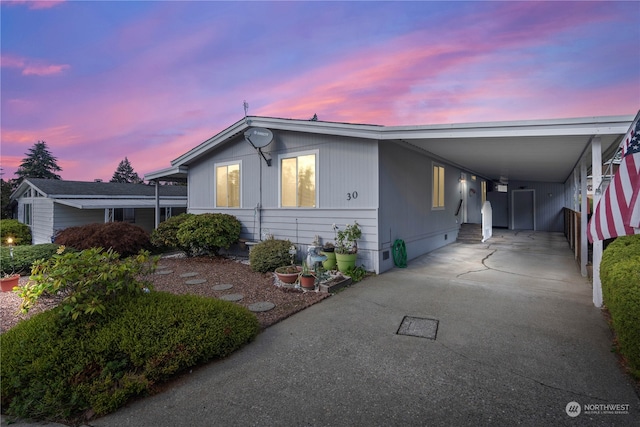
[(49, 206)]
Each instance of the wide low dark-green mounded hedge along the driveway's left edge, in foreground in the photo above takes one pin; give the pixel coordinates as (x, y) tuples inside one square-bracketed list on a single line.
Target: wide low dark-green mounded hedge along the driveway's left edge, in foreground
[(57, 370)]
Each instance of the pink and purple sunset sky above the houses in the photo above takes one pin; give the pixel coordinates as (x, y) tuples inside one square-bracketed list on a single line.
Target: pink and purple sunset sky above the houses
[(149, 80)]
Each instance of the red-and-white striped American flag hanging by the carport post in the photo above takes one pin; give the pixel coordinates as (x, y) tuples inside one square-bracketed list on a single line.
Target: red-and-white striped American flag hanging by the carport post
[(618, 211)]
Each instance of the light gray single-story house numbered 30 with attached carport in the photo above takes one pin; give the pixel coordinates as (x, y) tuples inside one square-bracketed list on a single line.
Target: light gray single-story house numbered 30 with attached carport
[(415, 183)]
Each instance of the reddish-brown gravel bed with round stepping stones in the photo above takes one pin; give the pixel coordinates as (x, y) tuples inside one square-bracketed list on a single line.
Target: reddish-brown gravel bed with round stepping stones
[(254, 288)]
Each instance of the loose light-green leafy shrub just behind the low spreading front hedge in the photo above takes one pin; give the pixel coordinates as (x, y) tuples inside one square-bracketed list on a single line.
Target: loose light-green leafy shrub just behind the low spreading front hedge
[(86, 280)]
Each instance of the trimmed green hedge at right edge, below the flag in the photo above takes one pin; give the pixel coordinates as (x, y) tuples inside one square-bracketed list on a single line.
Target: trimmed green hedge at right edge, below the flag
[(620, 276)]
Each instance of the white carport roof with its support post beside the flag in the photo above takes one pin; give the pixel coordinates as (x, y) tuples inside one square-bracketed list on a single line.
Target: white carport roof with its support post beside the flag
[(564, 151)]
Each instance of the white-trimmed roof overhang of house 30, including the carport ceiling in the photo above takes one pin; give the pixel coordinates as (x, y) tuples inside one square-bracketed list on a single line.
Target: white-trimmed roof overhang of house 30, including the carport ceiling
[(529, 150)]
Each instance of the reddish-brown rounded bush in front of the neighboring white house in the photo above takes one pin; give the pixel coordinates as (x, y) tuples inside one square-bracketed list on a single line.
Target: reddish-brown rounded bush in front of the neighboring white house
[(124, 238)]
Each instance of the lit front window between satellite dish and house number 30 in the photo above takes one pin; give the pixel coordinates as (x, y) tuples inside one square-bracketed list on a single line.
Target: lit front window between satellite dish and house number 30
[(298, 181)]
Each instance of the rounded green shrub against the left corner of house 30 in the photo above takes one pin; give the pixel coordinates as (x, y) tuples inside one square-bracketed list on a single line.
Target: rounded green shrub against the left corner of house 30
[(209, 232)]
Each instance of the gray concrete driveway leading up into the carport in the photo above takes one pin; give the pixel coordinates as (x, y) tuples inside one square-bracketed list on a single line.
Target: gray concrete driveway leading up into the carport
[(517, 340)]
